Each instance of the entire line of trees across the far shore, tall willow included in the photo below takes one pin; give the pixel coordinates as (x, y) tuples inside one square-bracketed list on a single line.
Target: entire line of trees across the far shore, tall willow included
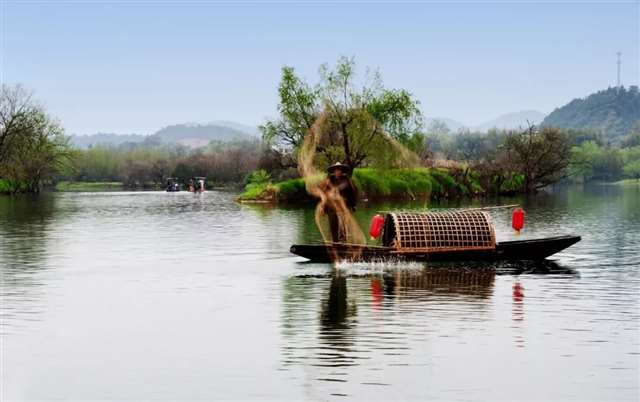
[(361, 122)]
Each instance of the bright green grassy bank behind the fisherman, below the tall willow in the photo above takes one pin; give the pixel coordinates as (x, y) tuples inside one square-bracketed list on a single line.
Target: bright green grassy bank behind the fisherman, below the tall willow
[(412, 184)]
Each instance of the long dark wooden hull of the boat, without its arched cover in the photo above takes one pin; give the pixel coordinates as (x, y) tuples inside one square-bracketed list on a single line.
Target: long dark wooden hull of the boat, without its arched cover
[(521, 250)]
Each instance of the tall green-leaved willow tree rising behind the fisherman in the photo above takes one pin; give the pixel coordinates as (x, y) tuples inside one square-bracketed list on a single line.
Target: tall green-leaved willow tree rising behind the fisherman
[(361, 118)]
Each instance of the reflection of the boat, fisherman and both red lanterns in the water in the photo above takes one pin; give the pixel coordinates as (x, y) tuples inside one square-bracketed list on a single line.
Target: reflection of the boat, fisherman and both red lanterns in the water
[(368, 313)]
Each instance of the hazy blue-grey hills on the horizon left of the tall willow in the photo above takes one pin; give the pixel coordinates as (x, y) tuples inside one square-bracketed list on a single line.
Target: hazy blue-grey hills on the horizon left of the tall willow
[(192, 135)]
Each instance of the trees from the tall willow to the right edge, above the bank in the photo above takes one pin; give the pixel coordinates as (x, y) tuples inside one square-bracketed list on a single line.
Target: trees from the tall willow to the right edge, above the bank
[(362, 119)]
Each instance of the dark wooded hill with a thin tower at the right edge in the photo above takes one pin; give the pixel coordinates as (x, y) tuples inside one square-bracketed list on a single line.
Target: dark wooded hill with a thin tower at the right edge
[(612, 112)]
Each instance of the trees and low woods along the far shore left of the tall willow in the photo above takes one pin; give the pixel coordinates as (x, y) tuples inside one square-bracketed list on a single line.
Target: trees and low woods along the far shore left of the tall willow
[(35, 152)]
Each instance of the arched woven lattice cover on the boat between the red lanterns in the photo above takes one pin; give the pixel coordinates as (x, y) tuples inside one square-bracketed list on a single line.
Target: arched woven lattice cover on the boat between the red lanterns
[(444, 231)]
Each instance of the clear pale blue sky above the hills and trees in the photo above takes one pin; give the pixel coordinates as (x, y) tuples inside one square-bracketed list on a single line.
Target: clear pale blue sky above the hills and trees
[(135, 67)]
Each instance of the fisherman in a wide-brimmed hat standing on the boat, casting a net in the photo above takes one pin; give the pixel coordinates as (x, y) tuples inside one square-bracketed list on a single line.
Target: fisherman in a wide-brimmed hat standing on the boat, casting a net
[(337, 185)]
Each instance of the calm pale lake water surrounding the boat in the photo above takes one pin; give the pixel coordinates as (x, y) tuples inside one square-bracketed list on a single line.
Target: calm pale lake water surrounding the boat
[(176, 296)]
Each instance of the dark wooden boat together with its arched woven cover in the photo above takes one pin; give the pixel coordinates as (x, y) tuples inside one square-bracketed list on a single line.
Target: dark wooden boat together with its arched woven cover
[(438, 236)]
